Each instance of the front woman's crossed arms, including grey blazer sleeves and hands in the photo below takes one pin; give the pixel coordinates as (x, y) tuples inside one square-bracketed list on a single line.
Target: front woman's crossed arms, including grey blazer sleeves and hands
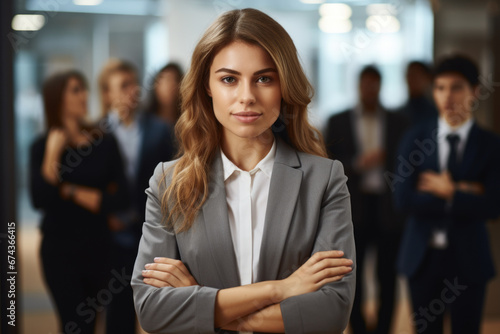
[(314, 298)]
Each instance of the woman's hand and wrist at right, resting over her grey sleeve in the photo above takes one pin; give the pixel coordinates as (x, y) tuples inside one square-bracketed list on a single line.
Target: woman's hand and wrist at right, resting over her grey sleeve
[(321, 268)]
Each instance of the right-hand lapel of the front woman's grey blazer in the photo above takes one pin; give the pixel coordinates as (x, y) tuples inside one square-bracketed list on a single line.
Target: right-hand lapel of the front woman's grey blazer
[(283, 193)]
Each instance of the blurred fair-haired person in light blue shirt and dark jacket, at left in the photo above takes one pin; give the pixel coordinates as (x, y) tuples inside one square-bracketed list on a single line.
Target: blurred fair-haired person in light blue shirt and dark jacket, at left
[(144, 141)]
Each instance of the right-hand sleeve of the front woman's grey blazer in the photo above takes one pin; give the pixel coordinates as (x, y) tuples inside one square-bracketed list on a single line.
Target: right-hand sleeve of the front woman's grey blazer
[(328, 309)]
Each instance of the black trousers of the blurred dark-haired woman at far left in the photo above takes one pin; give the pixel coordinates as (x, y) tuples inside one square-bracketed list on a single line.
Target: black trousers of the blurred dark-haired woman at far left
[(76, 275)]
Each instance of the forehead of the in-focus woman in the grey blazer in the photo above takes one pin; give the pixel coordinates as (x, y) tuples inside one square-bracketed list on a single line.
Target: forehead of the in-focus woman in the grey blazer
[(241, 55)]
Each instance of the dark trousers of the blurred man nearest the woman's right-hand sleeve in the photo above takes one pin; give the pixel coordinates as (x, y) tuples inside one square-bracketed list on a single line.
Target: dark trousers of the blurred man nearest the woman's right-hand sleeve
[(371, 232)]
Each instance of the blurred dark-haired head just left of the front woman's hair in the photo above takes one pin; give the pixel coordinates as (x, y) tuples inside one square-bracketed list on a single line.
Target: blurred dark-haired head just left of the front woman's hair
[(164, 100)]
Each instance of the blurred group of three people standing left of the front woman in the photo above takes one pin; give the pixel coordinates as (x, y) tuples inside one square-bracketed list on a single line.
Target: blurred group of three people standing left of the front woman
[(89, 180)]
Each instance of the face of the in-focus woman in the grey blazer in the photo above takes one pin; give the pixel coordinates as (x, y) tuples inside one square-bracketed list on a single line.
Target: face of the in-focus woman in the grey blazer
[(245, 90)]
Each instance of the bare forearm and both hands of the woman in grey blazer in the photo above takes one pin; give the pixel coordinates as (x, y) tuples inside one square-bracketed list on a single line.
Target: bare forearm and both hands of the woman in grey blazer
[(254, 307)]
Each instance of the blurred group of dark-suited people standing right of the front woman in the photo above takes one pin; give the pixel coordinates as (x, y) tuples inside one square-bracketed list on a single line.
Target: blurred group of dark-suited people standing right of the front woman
[(423, 181)]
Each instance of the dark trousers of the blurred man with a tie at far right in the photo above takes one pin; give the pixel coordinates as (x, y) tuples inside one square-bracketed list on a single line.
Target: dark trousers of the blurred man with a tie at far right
[(437, 288)]
